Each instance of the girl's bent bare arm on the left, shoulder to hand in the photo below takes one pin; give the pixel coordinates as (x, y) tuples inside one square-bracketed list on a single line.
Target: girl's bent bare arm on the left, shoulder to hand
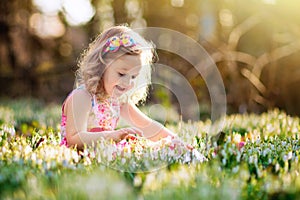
[(77, 110)]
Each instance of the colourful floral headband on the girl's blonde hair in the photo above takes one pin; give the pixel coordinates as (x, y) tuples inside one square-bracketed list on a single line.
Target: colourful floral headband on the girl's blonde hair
[(114, 43)]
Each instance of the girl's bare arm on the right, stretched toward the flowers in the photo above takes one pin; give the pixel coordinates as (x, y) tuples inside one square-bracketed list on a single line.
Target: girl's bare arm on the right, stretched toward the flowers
[(150, 128)]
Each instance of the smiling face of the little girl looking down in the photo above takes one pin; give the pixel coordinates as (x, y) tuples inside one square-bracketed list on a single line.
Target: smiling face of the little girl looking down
[(120, 74)]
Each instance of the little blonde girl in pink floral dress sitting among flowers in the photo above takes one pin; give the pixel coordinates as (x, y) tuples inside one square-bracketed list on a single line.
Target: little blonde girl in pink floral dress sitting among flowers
[(113, 76)]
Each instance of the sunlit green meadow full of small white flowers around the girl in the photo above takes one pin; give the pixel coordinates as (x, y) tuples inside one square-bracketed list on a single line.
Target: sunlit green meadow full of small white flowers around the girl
[(255, 157)]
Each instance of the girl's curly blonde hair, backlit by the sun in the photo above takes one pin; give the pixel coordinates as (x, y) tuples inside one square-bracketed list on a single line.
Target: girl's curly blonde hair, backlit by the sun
[(93, 63)]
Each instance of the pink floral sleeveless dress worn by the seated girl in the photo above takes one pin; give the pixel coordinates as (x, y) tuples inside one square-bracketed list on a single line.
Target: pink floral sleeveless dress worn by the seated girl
[(103, 116)]
